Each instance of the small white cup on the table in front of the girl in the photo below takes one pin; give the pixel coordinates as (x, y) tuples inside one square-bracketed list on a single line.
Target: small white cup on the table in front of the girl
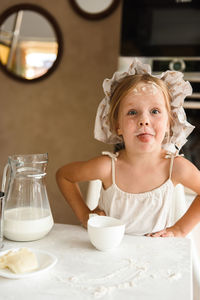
[(105, 233)]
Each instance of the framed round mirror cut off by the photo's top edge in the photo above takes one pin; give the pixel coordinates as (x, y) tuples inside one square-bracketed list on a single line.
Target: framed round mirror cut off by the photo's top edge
[(94, 9)]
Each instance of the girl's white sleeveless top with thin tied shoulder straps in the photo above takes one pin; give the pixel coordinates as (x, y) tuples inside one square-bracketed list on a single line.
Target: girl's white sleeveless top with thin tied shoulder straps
[(142, 213)]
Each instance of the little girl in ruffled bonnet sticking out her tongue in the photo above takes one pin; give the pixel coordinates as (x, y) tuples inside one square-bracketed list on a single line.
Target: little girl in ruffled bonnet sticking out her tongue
[(145, 114)]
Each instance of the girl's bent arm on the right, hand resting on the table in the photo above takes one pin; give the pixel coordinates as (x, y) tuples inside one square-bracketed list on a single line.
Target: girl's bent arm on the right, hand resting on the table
[(187, 174)]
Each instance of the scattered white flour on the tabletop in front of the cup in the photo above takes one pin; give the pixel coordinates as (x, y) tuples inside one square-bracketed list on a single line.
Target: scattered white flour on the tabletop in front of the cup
[(128, 275)]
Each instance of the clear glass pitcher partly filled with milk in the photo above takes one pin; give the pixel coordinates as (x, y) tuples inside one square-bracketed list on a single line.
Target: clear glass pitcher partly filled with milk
[(27, 214)]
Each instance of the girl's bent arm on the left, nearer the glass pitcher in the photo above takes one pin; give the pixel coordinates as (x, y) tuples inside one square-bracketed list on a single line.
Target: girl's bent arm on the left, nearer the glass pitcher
[(68, 177)]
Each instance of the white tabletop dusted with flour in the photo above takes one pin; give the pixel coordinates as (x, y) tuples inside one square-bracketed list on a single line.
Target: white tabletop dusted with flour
[(140, 268)]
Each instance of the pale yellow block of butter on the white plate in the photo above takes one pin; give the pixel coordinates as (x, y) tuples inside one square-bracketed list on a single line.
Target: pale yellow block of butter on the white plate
[(20, 261)]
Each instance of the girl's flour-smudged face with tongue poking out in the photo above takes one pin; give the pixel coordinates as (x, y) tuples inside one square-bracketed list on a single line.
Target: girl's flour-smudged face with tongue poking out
[(143, 118)]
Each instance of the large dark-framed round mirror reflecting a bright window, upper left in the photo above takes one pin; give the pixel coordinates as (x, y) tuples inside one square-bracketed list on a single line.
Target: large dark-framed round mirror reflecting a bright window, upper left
[(30, 42)]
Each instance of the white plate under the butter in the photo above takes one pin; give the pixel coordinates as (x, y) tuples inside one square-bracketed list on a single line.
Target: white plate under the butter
[(45, 259)]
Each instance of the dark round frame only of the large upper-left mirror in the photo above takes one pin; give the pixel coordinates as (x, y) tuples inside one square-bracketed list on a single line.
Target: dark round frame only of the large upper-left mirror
[(55, 27)]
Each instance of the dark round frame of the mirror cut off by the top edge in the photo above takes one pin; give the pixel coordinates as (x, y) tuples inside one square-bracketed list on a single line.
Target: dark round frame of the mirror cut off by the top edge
[(94, 16)]
